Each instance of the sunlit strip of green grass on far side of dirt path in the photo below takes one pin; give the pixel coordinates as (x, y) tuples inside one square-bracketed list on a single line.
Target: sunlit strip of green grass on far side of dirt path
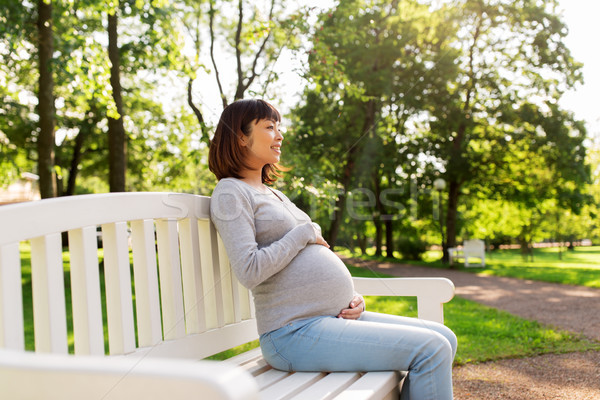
[(580, 266)]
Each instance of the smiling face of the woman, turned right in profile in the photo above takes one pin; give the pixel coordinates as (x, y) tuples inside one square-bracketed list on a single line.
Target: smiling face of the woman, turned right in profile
[(263, 144)]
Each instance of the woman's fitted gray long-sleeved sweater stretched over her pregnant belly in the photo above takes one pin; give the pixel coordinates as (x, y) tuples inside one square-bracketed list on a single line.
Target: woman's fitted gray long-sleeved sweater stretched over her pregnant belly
[(271, 247)]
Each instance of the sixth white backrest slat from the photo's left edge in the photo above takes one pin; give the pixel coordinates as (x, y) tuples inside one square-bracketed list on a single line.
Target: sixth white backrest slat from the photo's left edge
[(170, 279)]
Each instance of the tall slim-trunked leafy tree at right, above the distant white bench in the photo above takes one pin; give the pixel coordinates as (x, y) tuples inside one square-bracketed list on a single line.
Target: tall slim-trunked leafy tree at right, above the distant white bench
[(513, 69)]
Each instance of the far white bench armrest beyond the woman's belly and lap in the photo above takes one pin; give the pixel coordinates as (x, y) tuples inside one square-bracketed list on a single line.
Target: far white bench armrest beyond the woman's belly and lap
[(431, 293)]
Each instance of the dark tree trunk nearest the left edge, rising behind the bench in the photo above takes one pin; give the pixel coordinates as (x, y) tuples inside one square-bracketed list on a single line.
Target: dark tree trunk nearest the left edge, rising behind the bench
[(46, 141)]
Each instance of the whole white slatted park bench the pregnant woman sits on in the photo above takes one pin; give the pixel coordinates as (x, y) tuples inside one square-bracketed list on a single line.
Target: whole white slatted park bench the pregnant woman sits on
[(183, 306)]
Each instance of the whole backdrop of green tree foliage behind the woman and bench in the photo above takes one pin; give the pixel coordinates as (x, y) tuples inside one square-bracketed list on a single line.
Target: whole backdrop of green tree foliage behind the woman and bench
[(396, 94)]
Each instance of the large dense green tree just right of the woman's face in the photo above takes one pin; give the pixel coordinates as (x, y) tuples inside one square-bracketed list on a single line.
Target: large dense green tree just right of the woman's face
[(368, 64)]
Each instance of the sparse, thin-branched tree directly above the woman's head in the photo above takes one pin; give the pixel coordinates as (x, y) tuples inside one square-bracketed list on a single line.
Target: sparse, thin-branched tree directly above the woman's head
[(250, 36)]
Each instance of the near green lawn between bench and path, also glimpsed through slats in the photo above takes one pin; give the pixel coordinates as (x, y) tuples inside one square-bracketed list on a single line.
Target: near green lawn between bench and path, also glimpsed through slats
[(484, 333)]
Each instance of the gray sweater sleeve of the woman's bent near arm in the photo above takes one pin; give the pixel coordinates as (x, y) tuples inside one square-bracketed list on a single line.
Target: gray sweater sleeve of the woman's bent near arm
[(232, 213)]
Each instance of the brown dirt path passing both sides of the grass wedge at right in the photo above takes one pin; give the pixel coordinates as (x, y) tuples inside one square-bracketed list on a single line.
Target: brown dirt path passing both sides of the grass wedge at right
[(574, 376)]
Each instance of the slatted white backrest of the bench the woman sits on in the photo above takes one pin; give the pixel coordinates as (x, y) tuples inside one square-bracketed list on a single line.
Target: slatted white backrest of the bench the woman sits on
[(162, 286)]
